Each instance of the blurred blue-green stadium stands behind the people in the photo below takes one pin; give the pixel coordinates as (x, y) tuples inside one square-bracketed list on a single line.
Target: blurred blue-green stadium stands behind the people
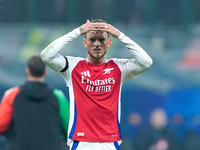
[(169, 30)]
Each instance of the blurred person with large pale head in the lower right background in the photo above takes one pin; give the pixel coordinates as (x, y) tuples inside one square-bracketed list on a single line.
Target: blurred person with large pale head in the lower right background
[(158, 136)]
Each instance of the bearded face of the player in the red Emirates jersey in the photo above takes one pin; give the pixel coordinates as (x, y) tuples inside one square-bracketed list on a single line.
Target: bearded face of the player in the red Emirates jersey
[(97, 43)]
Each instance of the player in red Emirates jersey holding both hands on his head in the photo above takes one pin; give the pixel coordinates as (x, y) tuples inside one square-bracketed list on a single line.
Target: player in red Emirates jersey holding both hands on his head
[(95, 83)]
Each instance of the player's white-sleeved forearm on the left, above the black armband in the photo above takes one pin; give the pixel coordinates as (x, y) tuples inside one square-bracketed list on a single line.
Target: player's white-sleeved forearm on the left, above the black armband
[(51, 52)]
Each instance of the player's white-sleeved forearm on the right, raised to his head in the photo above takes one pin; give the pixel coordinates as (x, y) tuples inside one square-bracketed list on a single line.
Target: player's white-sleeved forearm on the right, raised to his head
[(138, 53)]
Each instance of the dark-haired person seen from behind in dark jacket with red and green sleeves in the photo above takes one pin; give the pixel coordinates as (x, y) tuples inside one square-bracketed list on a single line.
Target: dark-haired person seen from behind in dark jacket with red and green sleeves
[(34, 116)]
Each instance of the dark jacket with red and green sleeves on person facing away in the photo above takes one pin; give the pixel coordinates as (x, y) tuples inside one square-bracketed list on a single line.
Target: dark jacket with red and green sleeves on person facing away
[(36, 120)]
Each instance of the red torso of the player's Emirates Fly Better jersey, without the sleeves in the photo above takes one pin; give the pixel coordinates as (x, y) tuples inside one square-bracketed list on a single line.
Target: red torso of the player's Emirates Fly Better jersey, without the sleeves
[(95, 96)]
